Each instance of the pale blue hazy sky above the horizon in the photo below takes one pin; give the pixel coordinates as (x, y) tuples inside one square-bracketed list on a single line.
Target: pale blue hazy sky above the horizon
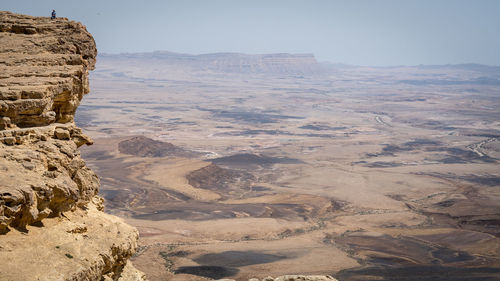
[(362, 32)]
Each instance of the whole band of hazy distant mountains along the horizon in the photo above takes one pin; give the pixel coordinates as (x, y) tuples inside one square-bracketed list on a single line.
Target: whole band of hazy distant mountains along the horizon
[(161, 65)]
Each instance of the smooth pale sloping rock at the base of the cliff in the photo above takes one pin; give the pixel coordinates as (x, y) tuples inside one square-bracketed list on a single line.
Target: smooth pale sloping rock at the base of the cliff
[(57, 252)]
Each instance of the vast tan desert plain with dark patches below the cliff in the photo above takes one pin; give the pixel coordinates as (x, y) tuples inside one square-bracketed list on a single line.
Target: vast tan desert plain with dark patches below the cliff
[(239, 166)]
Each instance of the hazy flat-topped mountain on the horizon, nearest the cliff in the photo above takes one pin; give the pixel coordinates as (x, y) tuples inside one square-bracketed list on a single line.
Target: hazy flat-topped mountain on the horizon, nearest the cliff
[(293, 64)]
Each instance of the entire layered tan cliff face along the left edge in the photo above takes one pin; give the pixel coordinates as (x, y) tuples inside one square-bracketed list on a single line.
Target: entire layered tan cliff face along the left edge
[(51, 222)]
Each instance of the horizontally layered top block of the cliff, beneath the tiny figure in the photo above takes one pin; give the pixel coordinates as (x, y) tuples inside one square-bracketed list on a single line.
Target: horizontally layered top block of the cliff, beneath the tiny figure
[(44, 68)]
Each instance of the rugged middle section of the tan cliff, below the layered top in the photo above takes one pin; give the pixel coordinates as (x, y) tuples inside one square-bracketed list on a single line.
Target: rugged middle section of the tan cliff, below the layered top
[(41, 178)]
